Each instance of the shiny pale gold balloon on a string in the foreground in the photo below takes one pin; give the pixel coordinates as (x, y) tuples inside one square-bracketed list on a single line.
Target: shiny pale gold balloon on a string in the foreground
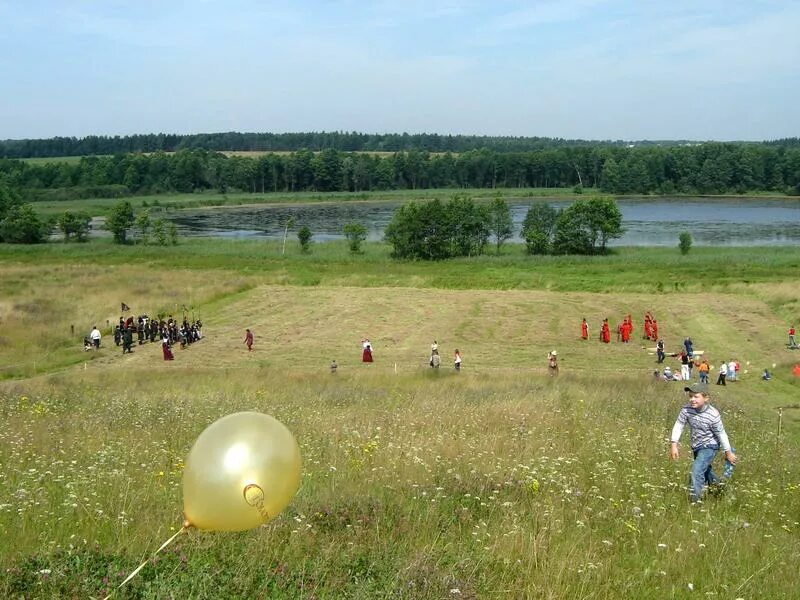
[(242, 471)]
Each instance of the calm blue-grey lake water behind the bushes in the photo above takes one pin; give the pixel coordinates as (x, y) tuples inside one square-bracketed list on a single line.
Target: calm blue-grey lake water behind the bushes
[(648, 222)]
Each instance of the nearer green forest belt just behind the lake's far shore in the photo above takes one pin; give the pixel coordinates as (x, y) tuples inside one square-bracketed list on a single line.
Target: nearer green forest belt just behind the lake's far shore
[(710, 168)]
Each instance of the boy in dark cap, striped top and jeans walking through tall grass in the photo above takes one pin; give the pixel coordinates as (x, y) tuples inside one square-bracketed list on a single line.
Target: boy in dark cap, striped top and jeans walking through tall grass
[(707, 437)]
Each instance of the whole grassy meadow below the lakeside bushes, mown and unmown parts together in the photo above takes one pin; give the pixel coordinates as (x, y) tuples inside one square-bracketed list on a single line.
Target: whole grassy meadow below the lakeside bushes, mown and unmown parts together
[(495, 482)]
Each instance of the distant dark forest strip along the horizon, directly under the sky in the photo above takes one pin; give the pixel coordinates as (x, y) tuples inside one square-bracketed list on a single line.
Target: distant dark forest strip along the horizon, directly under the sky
[(315, 141)]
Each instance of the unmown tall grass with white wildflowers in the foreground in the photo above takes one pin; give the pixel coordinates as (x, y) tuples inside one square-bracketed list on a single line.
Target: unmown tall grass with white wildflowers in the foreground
[(414, 486)]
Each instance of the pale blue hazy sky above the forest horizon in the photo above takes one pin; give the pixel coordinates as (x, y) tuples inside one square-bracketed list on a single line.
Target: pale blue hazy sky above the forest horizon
[(589, 69)]
